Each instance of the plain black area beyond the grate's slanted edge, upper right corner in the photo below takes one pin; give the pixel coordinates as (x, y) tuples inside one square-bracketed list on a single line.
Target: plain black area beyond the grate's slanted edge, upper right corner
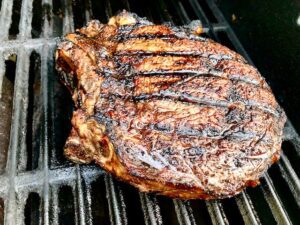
[(272, 28)]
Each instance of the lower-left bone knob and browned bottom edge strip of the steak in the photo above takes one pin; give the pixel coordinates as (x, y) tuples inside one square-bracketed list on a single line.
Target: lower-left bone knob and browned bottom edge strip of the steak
[(87, 143)]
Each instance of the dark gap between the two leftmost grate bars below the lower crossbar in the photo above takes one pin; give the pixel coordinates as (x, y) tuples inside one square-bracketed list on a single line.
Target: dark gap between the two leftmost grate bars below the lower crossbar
[(32, 210)]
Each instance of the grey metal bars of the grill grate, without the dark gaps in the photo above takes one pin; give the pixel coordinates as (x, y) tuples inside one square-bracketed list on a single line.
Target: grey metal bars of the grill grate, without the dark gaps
[(50, 175)]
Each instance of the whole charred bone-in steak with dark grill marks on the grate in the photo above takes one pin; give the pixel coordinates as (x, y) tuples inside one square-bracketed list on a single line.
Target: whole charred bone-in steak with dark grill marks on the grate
[(167, 110)]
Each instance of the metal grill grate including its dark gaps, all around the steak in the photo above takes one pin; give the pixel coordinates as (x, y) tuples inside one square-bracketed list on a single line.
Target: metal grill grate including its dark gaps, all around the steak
[(39, 186)]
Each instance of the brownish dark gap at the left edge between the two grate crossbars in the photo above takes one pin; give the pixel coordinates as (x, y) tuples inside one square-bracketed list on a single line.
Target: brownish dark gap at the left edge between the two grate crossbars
[(6, 106)]
